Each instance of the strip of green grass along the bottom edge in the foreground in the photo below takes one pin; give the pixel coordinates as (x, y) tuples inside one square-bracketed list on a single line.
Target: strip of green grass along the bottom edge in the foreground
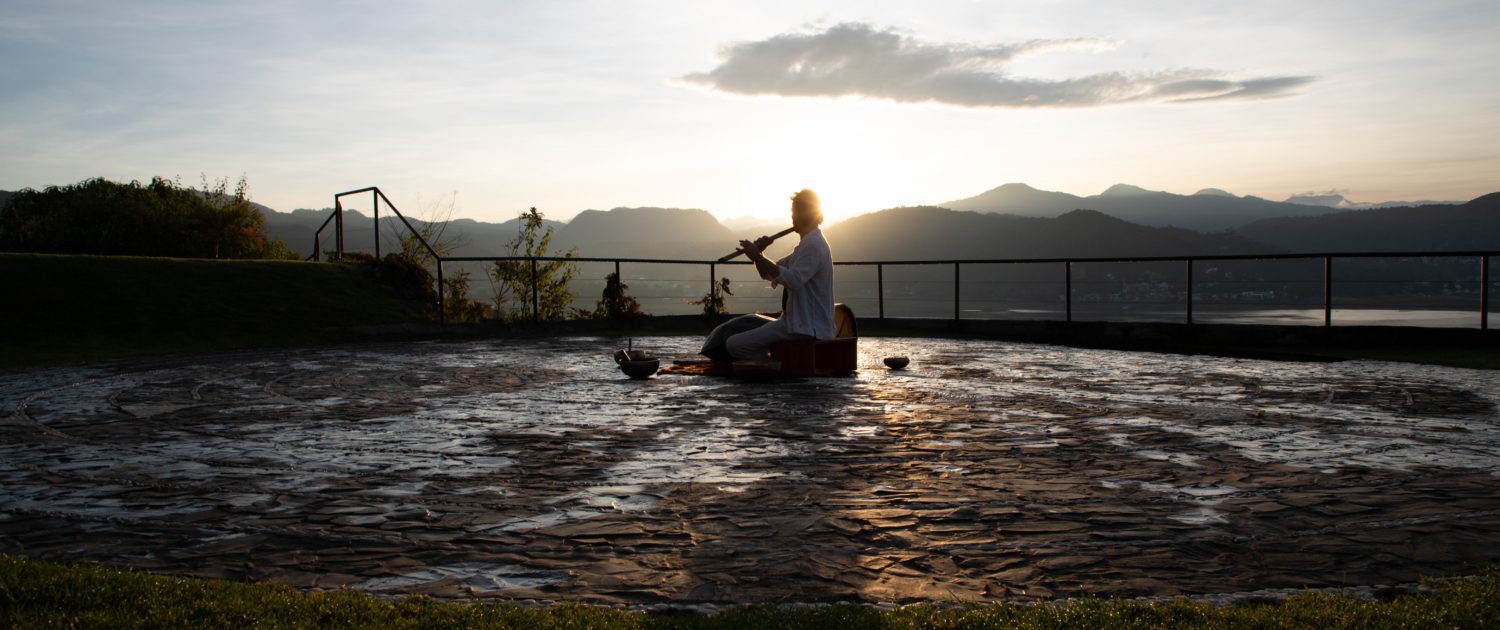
[(44, 595)]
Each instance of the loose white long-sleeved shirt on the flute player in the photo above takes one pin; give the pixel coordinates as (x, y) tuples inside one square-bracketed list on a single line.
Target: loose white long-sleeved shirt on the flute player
[(809, 278)]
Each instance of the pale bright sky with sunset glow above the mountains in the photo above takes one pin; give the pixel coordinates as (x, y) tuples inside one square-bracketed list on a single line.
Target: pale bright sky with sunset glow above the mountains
[(488, 109)]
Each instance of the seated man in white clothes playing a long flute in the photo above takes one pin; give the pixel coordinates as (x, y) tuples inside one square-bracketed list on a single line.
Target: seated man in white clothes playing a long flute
[(808, 277)]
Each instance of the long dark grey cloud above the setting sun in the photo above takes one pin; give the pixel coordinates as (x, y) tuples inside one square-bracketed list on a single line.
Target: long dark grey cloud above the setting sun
[(860, 61)]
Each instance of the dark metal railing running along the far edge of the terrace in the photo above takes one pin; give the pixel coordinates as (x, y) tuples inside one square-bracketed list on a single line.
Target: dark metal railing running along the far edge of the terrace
[(1067, 266)]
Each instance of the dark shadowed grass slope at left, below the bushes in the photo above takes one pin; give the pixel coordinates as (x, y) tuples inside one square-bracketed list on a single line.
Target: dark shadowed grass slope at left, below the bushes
[(73, 308)]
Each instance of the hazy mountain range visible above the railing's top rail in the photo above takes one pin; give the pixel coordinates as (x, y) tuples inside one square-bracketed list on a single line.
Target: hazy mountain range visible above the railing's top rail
[(1012, 221)]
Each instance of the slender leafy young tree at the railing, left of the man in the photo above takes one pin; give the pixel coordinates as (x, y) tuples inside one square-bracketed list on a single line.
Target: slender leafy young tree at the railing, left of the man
[(533, 287)]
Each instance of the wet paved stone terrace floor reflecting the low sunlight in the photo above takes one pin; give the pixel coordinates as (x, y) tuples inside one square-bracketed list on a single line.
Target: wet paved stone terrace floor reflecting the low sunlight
[(536, 470)]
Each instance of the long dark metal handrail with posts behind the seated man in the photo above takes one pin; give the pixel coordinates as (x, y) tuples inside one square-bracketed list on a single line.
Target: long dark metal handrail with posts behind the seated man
[(1067, 265)]
